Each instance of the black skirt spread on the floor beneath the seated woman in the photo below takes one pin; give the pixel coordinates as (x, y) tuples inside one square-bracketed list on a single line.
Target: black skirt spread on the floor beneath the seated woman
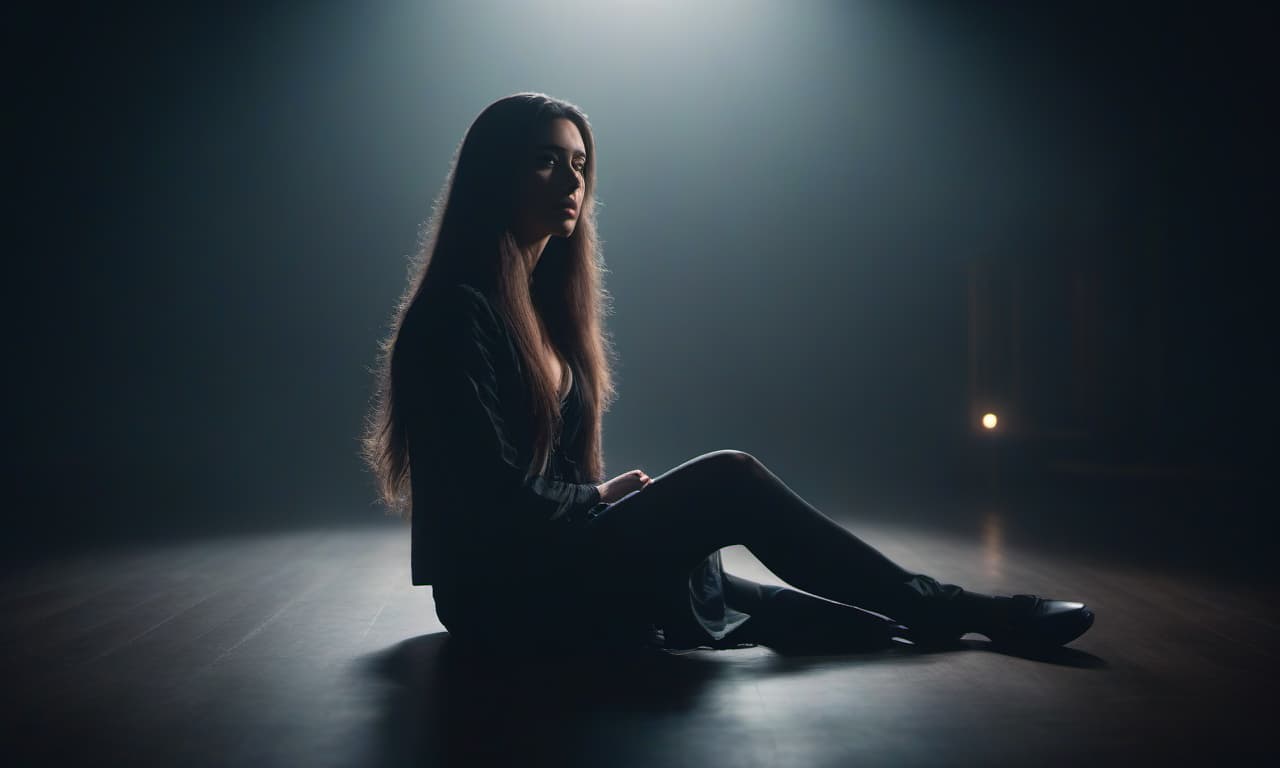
[(573, 589)]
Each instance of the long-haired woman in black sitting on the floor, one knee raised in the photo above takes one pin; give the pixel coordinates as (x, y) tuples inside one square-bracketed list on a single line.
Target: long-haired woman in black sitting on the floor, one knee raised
[(487, 435)]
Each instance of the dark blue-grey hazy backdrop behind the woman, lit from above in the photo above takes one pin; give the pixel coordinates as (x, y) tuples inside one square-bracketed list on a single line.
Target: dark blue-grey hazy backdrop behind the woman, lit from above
[(836, 234)]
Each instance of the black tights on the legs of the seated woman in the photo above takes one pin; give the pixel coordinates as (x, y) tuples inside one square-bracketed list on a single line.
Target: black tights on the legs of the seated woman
[(728, 497)]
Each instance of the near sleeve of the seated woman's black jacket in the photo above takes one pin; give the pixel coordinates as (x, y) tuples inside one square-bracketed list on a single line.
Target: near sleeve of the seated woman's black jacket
[(479, 446)]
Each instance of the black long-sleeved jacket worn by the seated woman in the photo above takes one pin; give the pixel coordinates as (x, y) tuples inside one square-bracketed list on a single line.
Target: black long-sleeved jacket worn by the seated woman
[(470, 438)]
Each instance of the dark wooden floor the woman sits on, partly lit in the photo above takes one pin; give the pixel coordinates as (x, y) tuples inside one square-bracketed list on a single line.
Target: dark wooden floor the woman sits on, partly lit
[(310, 648)]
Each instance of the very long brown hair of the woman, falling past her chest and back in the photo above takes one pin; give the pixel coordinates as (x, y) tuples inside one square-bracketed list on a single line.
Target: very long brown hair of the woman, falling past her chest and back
[(469, 240)]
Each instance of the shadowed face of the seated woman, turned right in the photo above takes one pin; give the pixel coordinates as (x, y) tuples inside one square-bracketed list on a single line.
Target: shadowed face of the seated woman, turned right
[(552, 184)]
